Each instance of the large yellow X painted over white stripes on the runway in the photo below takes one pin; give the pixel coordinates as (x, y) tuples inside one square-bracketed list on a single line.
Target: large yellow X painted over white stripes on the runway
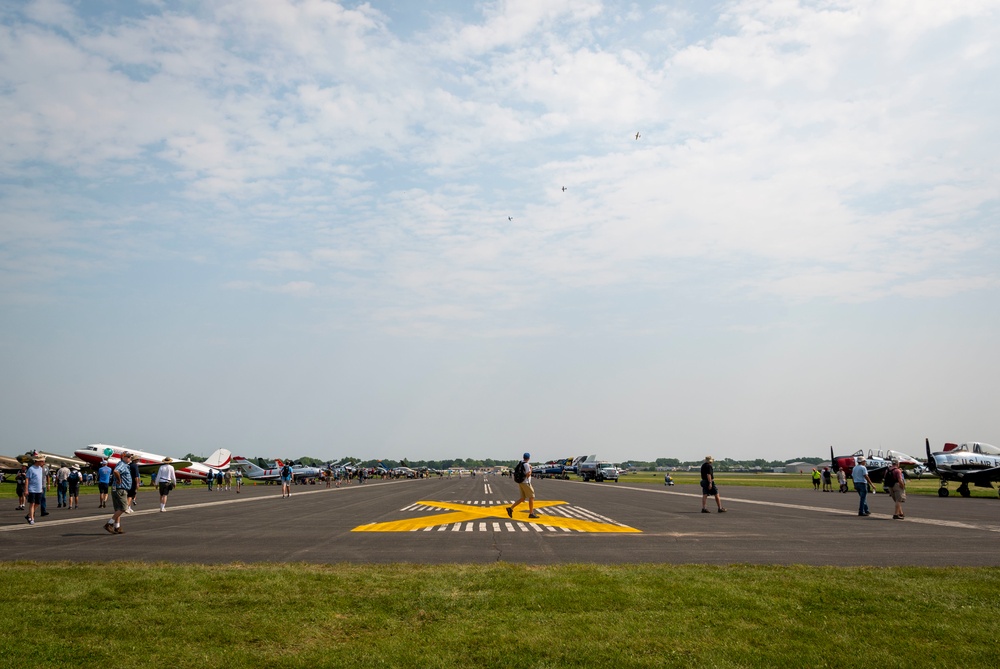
[(461, 513)]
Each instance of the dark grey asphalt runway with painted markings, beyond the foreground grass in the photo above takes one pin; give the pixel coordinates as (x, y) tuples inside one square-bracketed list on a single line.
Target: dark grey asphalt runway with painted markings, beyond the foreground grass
[(453, 520)]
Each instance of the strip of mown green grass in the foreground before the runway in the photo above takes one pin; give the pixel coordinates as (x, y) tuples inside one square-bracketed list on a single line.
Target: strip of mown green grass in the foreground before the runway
[(118, 615)]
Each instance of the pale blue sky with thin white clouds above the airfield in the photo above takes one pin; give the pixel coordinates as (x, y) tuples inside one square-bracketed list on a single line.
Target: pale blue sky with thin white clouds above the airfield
[(450, 228)]
